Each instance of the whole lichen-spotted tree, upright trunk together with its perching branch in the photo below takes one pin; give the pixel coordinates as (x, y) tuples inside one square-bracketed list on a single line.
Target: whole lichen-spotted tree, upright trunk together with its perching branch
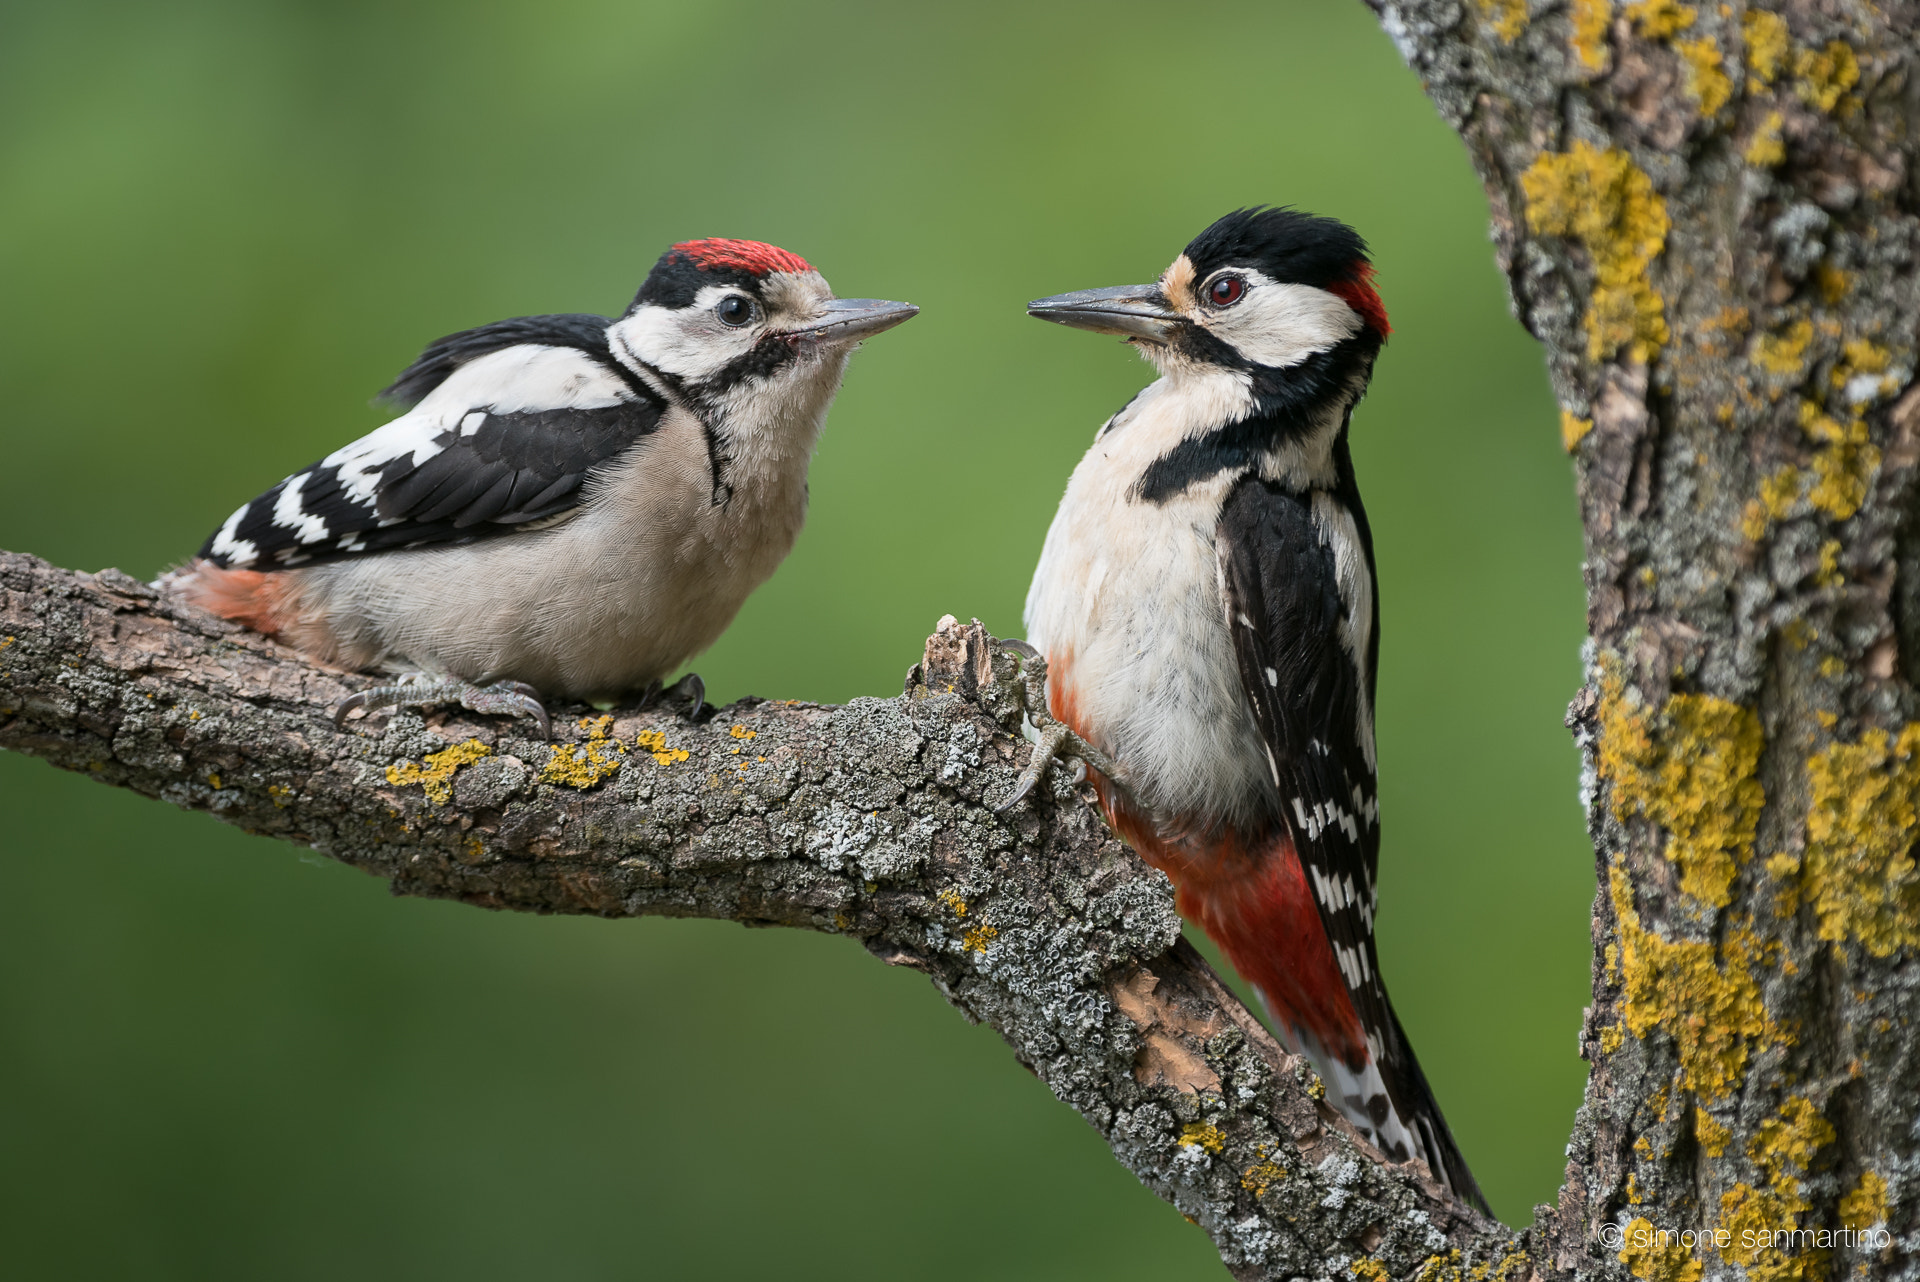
[(1708, 220)]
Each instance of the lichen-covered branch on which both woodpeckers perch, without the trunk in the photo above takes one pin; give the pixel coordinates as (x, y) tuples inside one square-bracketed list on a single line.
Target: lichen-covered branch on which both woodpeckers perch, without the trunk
[(869, 820)]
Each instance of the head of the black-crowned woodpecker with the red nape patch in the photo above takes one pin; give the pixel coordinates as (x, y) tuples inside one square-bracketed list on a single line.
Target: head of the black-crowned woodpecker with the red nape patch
[(1259, 291)]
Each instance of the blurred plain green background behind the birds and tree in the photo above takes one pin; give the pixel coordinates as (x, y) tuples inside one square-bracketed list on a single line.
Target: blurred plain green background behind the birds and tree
[(226, 226)]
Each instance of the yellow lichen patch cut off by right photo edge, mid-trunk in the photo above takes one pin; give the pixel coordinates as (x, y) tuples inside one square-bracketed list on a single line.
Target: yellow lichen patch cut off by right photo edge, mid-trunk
[(1860, 868)]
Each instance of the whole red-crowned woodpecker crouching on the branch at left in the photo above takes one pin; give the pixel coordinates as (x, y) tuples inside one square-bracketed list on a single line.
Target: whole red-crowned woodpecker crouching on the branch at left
[(571, 506)]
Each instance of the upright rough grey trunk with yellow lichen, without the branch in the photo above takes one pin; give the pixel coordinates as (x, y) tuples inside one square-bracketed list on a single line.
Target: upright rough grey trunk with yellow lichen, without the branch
[(1708, 218)]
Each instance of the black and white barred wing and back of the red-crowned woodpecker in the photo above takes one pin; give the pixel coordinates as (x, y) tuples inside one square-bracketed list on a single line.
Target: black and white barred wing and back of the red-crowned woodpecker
[(508, 427)]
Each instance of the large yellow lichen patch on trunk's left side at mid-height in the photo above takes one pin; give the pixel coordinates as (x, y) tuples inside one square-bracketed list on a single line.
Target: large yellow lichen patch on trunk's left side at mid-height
[(1694, 772)]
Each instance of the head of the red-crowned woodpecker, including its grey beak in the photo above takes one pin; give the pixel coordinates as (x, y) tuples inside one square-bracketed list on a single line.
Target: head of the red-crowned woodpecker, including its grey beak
[(736, 323)]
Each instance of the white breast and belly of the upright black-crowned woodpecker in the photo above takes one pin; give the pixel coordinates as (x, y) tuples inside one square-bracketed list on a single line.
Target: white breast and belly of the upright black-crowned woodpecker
[(1126, 604)]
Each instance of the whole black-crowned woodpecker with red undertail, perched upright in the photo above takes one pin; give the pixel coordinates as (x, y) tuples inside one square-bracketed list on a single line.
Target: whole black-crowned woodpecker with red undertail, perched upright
[(1209, 615)]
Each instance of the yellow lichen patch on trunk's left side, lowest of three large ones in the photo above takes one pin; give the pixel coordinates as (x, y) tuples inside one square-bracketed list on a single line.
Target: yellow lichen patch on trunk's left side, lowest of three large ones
[(1712, 1010)]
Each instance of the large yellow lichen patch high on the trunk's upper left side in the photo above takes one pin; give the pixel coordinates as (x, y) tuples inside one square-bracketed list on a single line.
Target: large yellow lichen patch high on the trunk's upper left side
[(1610, 206)]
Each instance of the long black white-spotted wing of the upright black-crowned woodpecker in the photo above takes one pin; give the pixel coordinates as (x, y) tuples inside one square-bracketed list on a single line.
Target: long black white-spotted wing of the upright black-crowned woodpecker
[(1287, 619)]
